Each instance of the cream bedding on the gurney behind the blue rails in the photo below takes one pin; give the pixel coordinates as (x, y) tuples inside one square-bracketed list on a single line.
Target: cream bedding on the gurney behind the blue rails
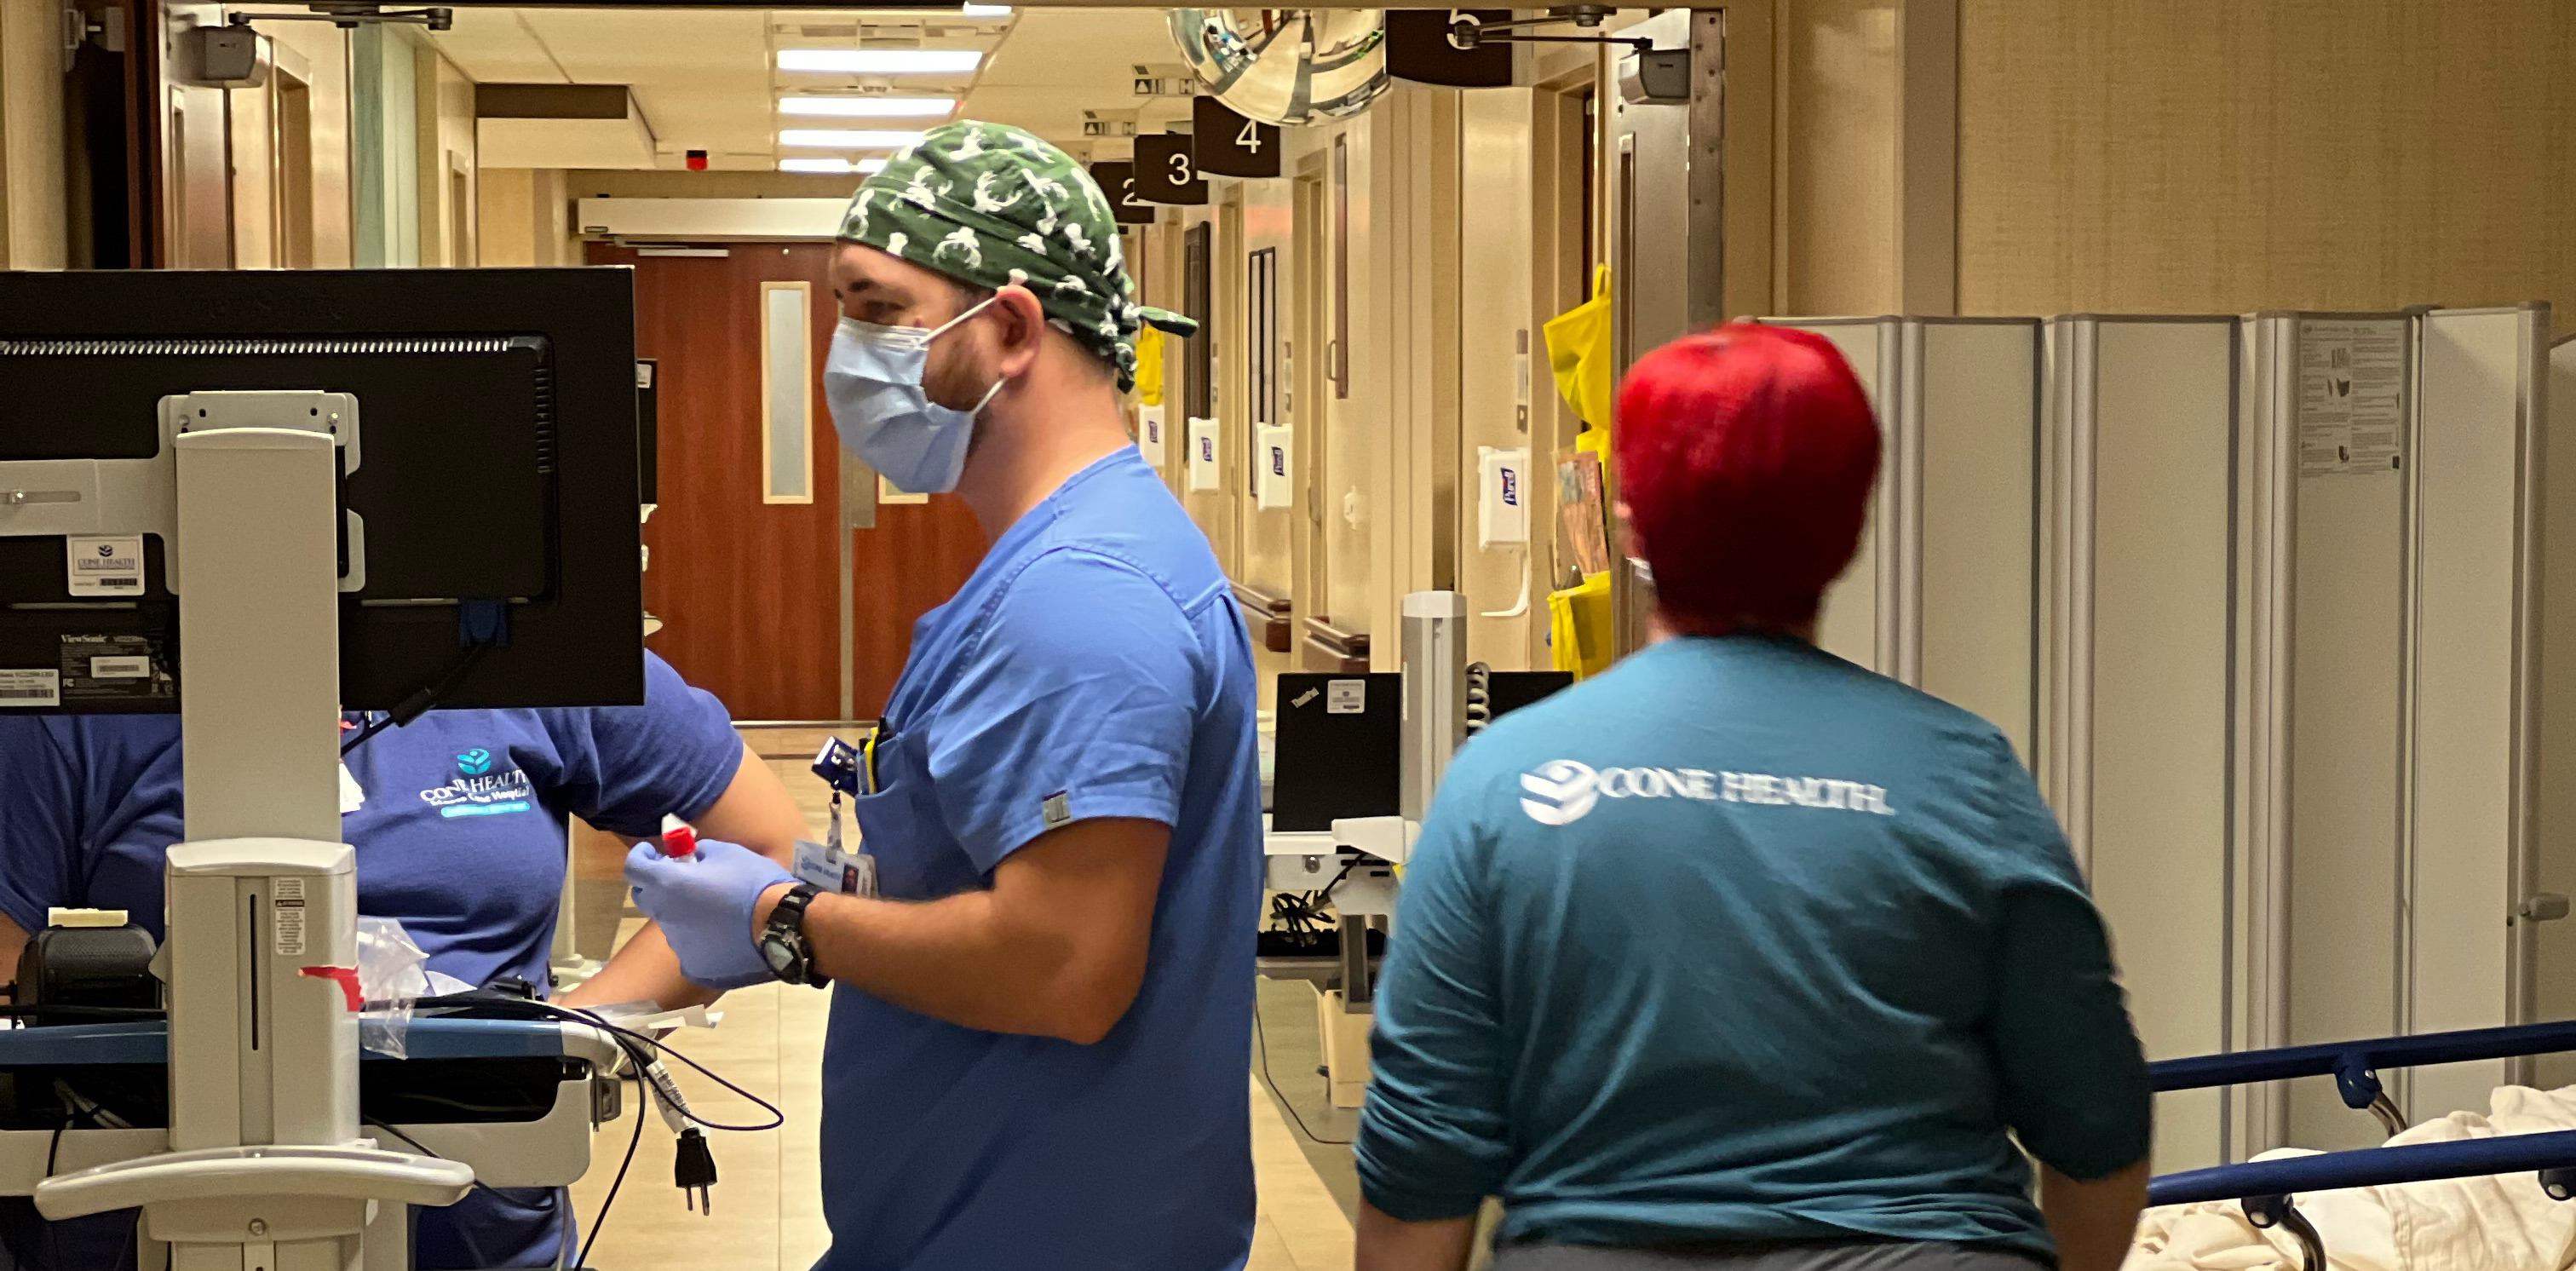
[(2500, 1223)]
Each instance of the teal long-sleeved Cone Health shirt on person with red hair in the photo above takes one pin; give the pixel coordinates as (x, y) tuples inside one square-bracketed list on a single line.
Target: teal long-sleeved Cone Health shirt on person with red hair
[(1743, 942)]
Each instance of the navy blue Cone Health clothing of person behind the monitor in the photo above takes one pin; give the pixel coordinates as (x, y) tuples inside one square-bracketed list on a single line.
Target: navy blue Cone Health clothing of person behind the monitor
[(462, 839)]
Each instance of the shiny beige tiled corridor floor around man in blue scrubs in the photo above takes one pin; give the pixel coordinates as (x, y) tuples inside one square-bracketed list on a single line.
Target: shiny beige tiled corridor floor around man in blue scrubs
[(769, 1213)]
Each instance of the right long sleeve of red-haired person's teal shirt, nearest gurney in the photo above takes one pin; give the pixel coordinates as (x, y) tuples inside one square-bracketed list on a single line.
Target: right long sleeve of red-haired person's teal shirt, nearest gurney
[(2072, 1069)]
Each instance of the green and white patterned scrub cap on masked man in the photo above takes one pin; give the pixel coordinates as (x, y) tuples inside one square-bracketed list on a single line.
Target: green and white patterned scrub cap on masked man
[(996, 208)]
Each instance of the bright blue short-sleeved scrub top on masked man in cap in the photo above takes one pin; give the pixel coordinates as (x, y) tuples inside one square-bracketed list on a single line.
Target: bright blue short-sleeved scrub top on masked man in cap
[(1094, 666)]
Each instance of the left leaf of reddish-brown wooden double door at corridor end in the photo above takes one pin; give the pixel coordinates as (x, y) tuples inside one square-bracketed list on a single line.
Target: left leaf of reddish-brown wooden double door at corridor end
[(748, 587)]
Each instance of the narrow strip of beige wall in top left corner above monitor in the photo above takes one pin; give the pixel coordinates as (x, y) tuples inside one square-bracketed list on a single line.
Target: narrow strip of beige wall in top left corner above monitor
[(32, 177)]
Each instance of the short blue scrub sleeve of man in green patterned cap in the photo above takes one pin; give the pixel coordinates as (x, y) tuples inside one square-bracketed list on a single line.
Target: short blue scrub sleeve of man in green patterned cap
[(1078, 700)]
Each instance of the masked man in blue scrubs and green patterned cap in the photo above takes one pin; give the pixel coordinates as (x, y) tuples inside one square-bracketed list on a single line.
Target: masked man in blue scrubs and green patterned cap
[(1045, 1027)]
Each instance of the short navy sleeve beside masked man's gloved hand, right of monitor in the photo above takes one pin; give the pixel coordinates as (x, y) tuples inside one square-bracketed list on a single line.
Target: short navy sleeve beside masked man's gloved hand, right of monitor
[(630, 767)]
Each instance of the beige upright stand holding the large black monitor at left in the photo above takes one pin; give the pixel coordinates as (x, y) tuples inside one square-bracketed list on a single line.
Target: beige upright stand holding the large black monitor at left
[(267, 1164)]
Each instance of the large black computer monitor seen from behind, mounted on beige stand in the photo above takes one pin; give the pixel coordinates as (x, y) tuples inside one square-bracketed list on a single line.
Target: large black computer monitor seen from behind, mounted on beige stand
[(498, 463)]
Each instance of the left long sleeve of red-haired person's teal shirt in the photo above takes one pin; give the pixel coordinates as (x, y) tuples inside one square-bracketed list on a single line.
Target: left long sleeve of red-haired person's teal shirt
[(1434, 1138)]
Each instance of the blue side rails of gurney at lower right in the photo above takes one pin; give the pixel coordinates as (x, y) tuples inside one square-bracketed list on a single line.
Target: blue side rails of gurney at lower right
[(2268, 1187)]
